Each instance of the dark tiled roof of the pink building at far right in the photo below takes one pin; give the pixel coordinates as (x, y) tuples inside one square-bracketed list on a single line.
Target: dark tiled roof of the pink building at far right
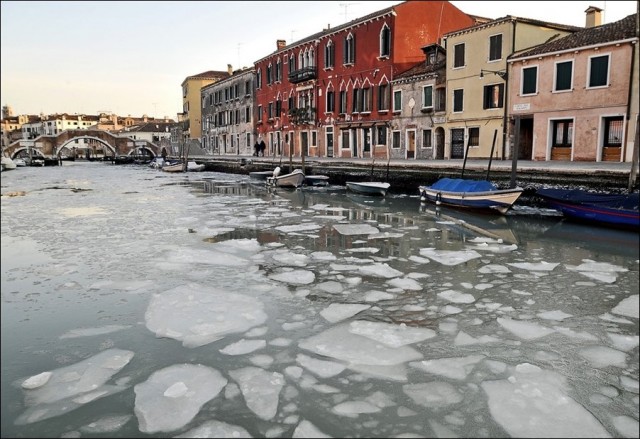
[(617, 31)]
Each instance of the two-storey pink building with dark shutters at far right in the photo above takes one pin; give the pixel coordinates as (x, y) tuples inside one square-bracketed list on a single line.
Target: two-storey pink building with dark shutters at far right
[(572, 98)]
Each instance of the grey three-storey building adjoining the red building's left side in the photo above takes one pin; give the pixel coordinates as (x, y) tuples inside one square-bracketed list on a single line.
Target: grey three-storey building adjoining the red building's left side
[(228, 114)]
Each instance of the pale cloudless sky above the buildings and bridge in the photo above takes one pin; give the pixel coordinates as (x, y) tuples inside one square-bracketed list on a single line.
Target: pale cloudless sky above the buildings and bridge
[(130, 57)]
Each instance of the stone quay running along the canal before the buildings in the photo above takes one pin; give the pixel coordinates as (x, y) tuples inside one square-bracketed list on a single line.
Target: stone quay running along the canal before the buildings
[(407, 175)]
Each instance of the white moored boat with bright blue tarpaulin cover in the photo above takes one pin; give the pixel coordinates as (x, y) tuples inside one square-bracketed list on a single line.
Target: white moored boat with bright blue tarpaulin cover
[(472, 194)]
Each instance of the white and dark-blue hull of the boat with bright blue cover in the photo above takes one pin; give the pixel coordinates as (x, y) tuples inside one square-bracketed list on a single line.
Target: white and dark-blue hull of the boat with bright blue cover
[(499, 200)]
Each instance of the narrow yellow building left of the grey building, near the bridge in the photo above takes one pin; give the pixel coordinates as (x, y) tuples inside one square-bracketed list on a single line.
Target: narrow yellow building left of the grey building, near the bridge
[(191, 104)]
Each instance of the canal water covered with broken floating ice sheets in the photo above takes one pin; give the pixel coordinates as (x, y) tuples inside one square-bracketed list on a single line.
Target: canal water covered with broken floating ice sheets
[(137, 303)]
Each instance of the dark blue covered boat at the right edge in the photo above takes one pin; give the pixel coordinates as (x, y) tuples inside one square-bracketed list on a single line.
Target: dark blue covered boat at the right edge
[(617, 210)]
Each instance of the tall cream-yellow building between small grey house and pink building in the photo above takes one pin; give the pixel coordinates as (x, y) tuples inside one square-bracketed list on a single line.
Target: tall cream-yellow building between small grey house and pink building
[(478, 80)]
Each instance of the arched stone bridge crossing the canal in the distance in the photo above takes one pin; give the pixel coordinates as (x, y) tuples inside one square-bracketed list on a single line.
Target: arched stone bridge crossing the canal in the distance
[(53, 146)]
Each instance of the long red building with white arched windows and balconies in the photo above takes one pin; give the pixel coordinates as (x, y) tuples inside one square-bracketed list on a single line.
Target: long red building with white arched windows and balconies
[(329, 95)]
